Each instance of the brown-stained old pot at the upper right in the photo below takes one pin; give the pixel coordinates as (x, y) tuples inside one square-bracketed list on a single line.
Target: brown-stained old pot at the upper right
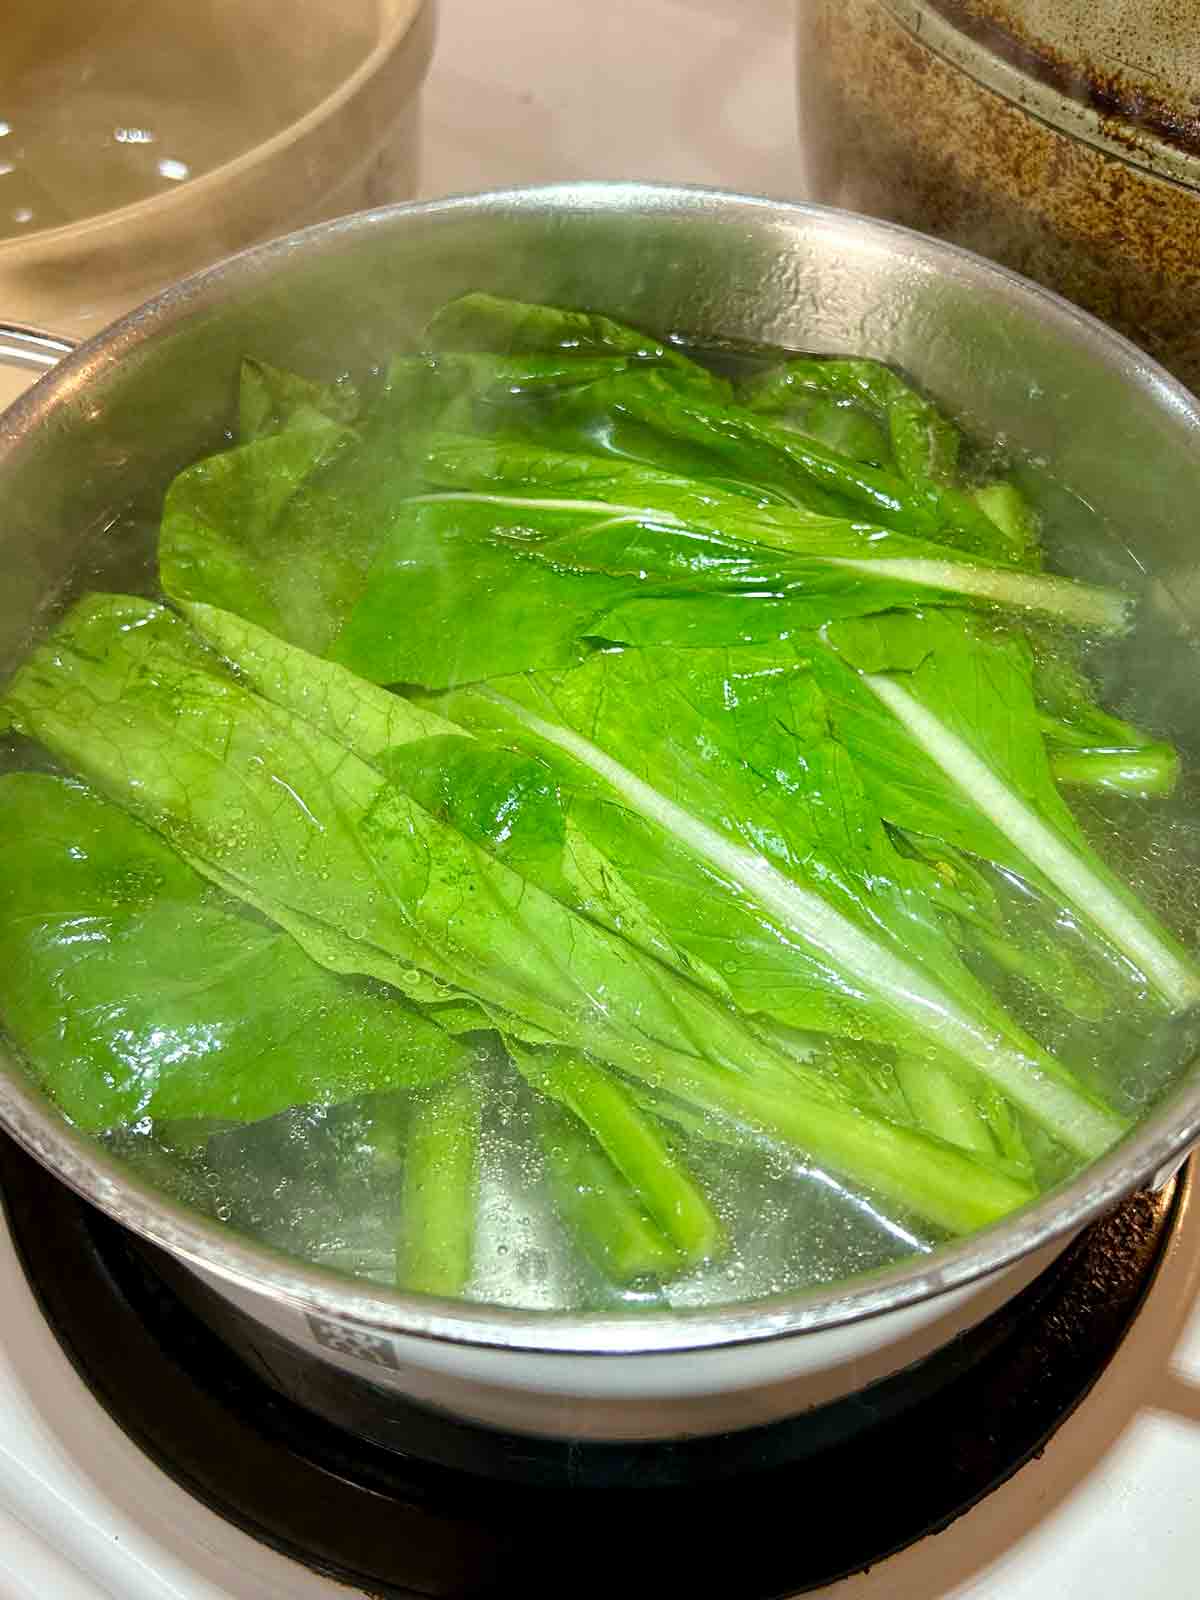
[(1058, 138)]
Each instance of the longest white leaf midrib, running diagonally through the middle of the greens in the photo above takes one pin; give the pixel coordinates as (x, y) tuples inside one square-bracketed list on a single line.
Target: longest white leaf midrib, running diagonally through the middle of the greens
[(1025, 1076)]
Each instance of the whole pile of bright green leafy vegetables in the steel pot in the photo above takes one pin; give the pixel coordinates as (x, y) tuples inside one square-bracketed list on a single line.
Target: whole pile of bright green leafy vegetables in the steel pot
[(721, 793)]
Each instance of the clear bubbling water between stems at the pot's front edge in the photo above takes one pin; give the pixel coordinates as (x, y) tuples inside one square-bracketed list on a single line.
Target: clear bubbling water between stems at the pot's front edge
[(324, 1183)]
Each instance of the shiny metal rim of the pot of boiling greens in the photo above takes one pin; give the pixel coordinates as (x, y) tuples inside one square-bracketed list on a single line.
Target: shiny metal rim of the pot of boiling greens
[(1148, 1156)]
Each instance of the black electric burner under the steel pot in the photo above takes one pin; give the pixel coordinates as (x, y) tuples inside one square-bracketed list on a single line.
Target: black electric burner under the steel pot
[(396, 1502)]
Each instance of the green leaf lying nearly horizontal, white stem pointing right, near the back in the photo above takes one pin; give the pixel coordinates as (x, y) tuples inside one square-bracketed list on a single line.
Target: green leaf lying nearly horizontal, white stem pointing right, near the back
[(476, 585)]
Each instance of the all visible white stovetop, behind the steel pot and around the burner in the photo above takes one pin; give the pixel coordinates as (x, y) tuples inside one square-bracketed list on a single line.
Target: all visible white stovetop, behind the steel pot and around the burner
[(698, 92)]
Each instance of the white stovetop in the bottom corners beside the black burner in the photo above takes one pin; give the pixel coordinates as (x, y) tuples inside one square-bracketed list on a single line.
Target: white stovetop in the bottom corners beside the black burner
[(1110, 1513)]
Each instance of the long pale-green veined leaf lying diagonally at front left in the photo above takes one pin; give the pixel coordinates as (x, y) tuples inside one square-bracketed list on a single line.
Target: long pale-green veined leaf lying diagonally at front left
[(297, 825)]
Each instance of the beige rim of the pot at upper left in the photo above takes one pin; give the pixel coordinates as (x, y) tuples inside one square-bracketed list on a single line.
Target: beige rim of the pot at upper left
[(26, 250)]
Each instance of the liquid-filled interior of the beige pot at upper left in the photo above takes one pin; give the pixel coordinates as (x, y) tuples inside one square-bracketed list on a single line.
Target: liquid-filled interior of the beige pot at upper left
[(105, 103)]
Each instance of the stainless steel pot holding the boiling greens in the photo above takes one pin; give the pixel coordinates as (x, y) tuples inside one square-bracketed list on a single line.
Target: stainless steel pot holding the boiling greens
[(132, 407)]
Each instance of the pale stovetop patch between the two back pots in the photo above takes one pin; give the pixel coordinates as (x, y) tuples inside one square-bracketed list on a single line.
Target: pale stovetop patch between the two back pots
[(537, 92)]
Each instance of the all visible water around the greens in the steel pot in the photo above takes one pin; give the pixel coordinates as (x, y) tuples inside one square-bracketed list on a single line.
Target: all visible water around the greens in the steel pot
[(326, 1183)]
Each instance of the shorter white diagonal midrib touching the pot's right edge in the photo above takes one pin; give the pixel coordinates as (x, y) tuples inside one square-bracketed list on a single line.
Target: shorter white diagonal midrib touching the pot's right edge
[(1175, 978)]
